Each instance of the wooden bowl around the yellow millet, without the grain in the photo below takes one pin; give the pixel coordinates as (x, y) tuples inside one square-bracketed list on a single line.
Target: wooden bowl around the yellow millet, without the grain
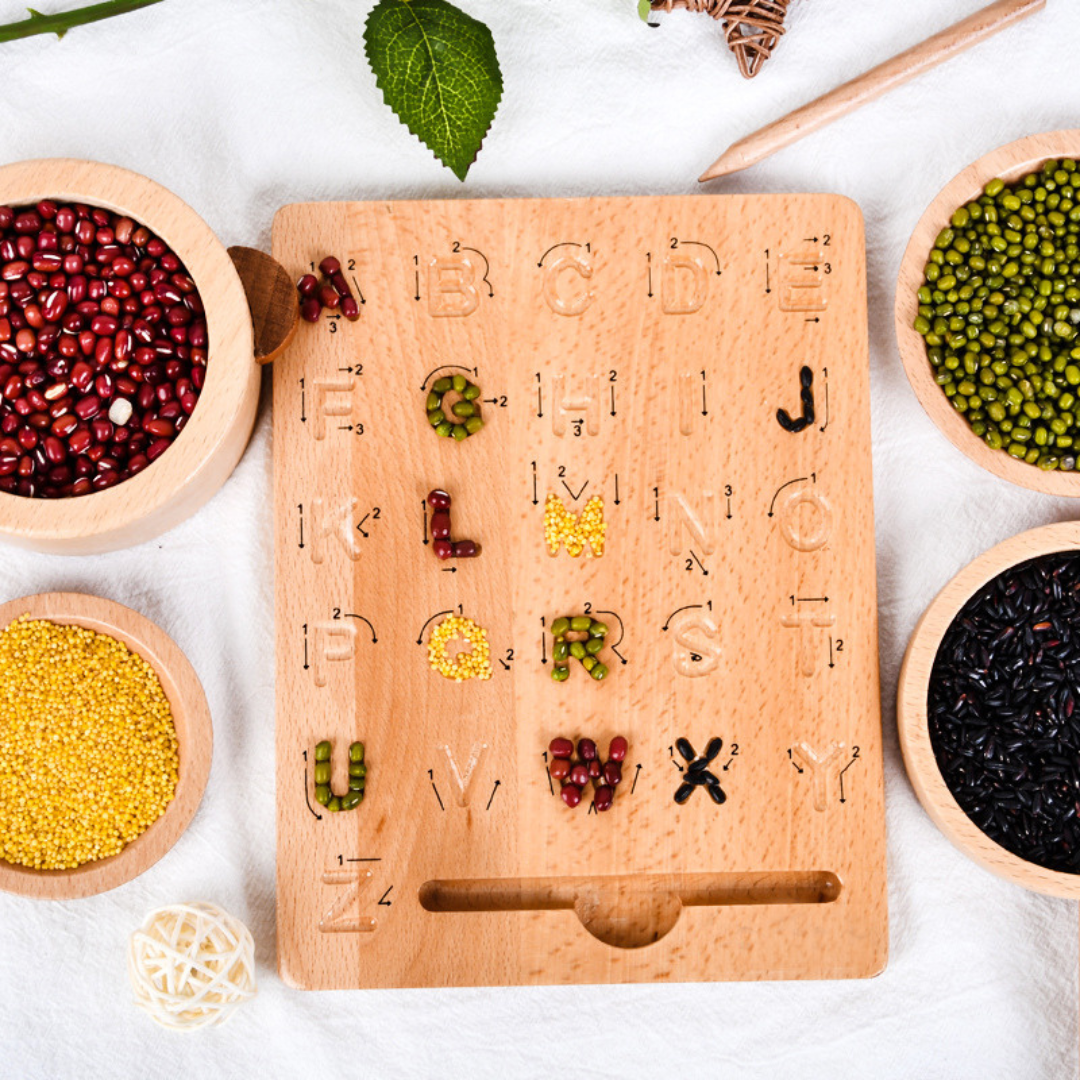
[(194, 733)]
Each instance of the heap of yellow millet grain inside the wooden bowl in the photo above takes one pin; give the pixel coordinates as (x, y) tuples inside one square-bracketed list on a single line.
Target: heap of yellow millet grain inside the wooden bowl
[(88, 748)]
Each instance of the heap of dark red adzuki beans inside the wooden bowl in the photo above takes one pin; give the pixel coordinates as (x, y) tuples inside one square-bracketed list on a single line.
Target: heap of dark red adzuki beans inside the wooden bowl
[(98, 317)]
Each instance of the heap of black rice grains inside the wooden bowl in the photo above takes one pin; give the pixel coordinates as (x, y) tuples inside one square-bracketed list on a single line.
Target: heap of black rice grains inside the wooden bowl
[(1002, 710)]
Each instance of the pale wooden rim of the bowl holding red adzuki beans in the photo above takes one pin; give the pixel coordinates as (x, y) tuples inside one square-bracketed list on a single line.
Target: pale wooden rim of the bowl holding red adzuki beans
[(229, 329)]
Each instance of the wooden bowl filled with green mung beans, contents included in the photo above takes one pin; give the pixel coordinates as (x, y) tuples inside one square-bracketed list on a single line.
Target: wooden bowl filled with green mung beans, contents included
[(989, 312)]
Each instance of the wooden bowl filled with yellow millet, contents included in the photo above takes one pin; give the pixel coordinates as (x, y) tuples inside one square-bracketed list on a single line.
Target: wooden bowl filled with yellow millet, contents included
[(105, 745)]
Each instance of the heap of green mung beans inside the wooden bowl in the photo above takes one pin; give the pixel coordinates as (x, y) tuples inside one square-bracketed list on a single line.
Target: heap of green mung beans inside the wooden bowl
[(1000, 310)]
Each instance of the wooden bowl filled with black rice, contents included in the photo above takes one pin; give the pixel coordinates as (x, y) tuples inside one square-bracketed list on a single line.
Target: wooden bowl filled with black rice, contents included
[(988, 710)]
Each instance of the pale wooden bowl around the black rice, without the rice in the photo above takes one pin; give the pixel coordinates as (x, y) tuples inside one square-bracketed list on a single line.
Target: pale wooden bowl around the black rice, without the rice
[(912, 697)]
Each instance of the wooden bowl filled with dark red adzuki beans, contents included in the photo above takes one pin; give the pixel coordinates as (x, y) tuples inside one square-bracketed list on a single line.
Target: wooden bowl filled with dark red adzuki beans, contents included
[(128, 380)]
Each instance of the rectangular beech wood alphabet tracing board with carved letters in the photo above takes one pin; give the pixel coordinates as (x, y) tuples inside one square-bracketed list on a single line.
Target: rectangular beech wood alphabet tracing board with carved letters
[(738, 582)]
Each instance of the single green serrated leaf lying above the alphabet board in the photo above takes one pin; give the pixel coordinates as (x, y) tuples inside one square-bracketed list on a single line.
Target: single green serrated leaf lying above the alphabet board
[(438, 71)]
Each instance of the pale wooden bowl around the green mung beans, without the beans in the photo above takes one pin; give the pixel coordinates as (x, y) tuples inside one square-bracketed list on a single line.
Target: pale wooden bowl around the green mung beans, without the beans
[(1009, 163)]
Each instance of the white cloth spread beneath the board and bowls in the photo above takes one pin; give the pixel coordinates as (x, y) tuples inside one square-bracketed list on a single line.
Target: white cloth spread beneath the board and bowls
[(241, 107)]
